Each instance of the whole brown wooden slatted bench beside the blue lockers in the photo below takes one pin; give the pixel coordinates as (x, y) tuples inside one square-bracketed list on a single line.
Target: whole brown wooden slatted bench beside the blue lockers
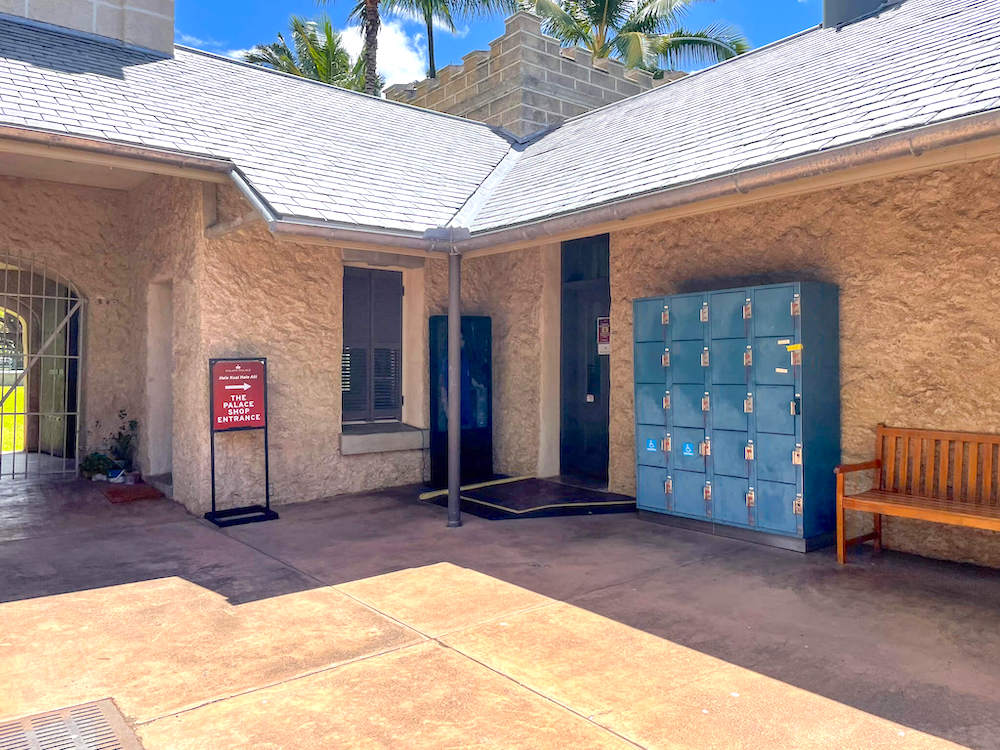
[(944, 477)]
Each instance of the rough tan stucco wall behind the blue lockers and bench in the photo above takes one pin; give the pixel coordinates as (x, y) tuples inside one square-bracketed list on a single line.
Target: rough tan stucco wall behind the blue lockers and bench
[(915, 258)]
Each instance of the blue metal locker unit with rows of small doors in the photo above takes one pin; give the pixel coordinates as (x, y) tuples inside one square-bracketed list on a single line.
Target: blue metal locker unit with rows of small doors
[(737, 396)]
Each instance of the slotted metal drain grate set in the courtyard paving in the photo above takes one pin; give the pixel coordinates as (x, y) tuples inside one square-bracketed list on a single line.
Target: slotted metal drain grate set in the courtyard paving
[(89, 726)]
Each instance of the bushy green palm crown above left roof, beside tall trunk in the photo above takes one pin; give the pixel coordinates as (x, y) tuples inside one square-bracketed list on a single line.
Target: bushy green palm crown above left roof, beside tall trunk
[(316, 52)]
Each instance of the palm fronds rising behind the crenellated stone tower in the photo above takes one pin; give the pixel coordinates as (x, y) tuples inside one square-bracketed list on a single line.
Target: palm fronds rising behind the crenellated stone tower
[(640, 33)]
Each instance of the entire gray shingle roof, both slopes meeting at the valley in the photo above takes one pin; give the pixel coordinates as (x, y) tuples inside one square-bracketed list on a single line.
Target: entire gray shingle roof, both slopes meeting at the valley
[(317, 152)]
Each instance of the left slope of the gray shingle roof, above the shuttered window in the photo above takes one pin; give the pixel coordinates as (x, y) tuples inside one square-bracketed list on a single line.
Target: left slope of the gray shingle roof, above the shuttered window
[(310, 150)]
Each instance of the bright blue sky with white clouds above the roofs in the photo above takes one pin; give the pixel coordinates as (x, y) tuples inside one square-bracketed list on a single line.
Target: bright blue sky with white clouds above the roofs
[(230, 26)]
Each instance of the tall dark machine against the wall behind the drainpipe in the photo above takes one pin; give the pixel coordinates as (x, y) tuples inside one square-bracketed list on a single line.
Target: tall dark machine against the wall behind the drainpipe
[(477, 399)]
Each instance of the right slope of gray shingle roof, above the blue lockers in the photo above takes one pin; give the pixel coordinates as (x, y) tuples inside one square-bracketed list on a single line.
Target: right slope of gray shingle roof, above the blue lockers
[(918, 63)]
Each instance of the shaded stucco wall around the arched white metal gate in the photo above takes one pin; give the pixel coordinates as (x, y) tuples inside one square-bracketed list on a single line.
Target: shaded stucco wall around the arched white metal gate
[(79, 233)]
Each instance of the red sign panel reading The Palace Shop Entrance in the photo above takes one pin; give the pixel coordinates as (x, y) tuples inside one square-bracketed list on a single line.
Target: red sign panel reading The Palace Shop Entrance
[(238, 395)]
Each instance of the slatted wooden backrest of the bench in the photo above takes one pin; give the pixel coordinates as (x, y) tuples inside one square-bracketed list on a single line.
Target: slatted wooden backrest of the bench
[(959, 467)]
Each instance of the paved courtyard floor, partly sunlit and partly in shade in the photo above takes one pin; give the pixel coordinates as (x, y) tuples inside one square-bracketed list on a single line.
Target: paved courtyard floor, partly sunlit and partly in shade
[(363, 621)]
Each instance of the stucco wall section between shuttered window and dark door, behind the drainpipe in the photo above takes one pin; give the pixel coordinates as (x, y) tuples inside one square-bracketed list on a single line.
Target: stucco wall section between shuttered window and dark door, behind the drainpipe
[(508, 288)]
